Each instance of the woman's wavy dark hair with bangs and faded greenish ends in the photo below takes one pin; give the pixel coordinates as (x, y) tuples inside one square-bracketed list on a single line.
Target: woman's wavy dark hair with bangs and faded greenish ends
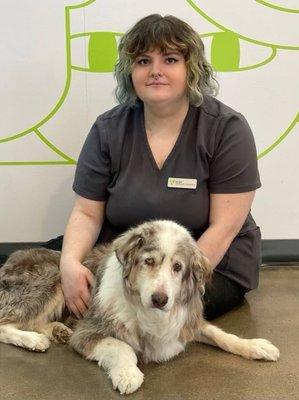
[(164, 33)]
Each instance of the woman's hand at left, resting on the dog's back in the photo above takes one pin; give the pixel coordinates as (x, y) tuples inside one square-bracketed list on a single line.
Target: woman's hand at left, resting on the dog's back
[(76, 281)]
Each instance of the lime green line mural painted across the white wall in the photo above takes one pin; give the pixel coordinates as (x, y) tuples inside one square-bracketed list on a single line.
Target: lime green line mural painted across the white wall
[(225, 56)]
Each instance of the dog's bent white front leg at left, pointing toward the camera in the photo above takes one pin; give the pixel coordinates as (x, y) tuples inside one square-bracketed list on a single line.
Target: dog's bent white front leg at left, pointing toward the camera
[(120, 362)]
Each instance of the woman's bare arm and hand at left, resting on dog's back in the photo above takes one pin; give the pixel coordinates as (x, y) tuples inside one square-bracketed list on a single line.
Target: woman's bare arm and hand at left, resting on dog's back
[(81, 234)]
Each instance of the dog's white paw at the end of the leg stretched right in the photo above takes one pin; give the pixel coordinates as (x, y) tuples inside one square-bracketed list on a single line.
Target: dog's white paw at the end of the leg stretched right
[(262, 349)]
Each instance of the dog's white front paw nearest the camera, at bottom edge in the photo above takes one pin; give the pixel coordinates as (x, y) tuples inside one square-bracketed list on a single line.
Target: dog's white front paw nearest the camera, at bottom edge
[(126, 379)]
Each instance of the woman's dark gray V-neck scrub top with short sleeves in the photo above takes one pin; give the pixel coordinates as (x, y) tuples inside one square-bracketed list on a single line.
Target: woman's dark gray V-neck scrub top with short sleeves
[(215, 146)]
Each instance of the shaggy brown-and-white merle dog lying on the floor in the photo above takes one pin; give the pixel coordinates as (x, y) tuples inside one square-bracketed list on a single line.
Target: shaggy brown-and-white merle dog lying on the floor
[(146, 303)]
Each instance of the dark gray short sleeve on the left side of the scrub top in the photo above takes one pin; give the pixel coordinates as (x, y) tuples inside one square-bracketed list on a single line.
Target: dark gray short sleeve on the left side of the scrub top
[(93, 174)]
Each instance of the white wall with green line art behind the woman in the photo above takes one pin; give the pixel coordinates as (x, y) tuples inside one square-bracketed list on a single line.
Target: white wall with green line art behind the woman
[(50, 94)]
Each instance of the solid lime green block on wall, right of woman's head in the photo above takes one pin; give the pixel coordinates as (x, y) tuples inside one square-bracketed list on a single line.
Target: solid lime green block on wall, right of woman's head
[(225, 52)]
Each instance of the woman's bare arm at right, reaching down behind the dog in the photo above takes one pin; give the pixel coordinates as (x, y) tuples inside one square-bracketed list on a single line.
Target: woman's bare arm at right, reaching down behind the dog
[(227, 216)]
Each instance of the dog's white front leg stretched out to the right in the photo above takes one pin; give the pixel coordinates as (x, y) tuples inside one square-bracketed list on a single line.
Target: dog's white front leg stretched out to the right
[(253, 349)]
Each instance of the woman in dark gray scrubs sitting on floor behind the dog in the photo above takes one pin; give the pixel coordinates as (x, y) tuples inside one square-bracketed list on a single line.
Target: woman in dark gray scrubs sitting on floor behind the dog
[(169, 150)]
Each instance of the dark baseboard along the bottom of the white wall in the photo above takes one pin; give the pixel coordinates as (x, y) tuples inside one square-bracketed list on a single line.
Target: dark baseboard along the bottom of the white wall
[(284, 251)]
